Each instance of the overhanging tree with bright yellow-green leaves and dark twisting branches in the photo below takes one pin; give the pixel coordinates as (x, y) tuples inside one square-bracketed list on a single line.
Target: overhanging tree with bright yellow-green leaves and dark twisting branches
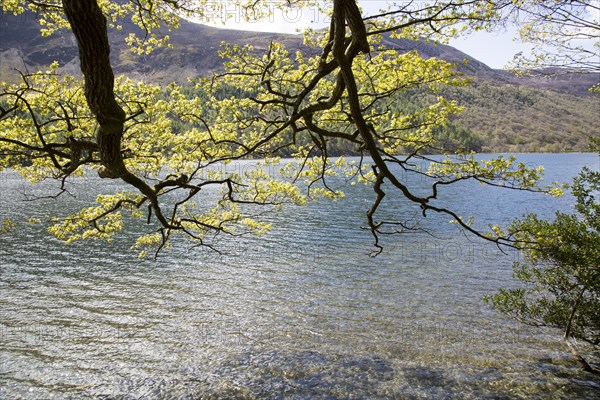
[(53, 126)]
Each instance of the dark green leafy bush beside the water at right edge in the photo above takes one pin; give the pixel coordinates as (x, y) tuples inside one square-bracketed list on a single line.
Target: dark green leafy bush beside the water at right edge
[(561, 271)]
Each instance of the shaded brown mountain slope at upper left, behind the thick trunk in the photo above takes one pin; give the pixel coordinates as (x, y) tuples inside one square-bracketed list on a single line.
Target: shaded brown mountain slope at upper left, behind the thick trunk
[(194, 51)]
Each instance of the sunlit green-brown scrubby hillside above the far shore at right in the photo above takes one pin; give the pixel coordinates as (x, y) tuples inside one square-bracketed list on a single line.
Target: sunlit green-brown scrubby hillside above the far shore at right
[(510, 118)]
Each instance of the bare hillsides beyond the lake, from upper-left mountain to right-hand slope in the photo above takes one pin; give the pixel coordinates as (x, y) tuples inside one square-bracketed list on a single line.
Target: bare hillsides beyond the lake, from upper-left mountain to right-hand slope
[(502, 112)]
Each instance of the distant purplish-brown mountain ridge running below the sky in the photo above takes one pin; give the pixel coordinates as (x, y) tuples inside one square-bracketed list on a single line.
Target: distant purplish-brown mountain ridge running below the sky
[(194, 53)]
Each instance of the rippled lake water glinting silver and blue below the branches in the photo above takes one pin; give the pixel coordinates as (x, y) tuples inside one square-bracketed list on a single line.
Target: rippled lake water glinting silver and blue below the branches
[(301, 313)]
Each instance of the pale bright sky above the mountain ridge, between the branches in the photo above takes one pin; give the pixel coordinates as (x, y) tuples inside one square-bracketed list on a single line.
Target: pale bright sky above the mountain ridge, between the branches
[(493, 49)]
